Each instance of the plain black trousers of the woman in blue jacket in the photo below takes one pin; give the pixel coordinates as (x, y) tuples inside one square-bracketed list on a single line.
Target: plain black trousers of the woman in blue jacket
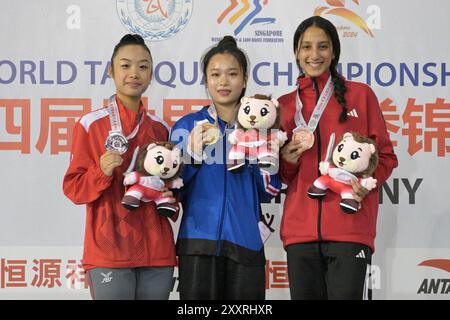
[(219, 278)]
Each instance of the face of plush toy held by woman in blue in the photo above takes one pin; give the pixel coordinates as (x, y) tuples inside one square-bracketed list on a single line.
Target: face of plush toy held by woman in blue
[(257, 114)]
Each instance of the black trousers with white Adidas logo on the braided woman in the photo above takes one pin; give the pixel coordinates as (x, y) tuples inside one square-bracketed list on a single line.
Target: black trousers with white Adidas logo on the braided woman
[(328, 270)]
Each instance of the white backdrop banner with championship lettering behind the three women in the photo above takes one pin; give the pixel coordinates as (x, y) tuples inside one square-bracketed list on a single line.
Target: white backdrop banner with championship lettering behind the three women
[(53, 68)]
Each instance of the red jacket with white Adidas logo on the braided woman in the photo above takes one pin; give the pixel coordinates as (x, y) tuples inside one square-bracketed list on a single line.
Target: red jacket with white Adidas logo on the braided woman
[(308, 220)]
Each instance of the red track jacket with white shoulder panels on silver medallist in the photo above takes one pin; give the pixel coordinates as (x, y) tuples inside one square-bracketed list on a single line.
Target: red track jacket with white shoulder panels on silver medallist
[(114, 236)]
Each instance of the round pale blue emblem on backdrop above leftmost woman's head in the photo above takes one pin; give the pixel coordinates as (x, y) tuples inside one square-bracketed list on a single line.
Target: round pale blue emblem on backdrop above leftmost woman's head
[(155, 20)]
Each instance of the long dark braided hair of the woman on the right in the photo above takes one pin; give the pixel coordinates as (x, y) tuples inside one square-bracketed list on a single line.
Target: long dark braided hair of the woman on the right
[(331, 32)]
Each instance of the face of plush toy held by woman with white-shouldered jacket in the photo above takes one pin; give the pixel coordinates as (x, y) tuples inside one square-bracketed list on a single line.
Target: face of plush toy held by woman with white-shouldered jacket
[(161, 161)]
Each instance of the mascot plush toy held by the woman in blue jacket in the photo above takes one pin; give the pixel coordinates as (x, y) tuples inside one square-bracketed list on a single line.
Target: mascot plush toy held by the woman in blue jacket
[(258, 123)]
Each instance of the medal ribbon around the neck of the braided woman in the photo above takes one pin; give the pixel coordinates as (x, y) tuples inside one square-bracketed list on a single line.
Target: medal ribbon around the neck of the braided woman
[(318, 110)]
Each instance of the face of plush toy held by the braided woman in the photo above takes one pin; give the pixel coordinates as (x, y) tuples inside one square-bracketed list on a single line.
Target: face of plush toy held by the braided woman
[(351, 155)]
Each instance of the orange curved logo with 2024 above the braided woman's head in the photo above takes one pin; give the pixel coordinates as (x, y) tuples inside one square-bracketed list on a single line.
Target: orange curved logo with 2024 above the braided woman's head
[(338, 8)]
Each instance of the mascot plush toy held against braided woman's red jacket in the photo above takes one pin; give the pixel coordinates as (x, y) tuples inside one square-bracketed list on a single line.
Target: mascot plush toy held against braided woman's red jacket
[(354, 158)]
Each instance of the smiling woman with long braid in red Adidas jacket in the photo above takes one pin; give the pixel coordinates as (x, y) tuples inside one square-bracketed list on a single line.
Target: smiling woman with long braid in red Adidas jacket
[(328, 251)]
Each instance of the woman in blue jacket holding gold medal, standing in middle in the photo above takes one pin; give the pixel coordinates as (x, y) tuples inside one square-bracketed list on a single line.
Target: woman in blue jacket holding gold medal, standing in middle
[(220, 246)]
